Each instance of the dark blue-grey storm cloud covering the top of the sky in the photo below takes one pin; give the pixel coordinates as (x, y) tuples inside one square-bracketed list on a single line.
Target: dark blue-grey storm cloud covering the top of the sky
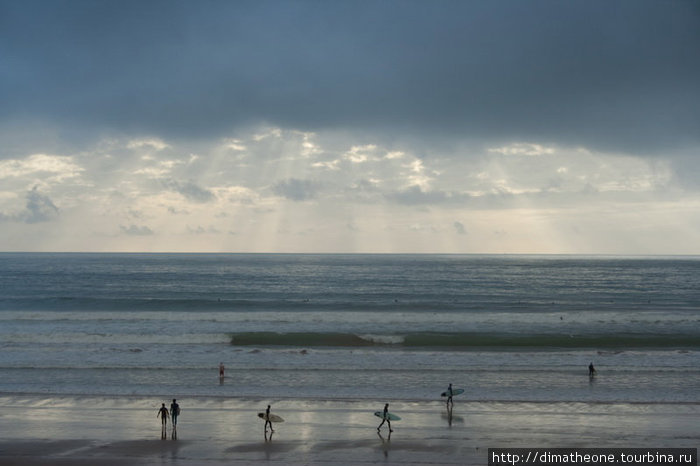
[(617, 75)]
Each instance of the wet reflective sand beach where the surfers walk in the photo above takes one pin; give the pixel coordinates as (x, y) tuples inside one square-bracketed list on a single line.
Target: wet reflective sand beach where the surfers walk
[(119, 431)]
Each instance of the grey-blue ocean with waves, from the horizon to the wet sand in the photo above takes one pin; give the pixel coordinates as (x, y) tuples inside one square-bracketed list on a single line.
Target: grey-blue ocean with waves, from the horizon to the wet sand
[(351, 327)]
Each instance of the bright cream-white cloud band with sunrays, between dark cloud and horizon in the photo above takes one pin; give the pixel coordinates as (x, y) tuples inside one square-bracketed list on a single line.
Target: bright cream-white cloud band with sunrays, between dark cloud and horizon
[(349, 197)]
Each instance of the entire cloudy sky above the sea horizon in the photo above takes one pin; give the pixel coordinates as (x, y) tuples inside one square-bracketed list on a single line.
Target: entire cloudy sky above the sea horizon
[(386, 126)]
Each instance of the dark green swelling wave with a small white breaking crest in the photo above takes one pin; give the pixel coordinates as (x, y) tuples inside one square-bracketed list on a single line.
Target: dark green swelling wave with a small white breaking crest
[(466, 340)]
